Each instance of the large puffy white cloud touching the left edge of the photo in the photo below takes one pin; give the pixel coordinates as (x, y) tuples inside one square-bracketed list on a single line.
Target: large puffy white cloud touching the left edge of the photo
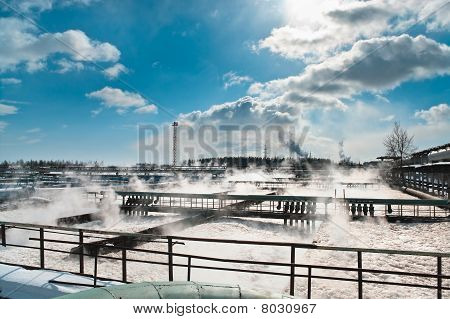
[(24, 45)]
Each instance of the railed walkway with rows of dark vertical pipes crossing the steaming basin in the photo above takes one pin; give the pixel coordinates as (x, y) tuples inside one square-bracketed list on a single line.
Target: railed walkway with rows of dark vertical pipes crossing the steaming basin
[(284, 206)]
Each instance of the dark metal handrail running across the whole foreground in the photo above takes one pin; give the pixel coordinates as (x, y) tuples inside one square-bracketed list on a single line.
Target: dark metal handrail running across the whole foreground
[(359, 270)]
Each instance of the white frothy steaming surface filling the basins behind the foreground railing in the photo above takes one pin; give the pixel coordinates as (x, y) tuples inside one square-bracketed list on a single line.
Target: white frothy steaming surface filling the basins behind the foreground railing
[(337, 231)]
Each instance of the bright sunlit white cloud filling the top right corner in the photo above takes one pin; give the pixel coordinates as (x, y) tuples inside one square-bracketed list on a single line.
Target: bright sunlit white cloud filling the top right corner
[(316, 29)]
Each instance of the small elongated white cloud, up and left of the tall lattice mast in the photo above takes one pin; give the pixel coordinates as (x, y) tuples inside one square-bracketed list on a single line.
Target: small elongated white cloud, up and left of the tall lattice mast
[(122, 100)]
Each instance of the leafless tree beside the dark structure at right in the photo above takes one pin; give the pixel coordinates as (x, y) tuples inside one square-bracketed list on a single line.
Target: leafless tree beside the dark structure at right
[(399, 143)]
